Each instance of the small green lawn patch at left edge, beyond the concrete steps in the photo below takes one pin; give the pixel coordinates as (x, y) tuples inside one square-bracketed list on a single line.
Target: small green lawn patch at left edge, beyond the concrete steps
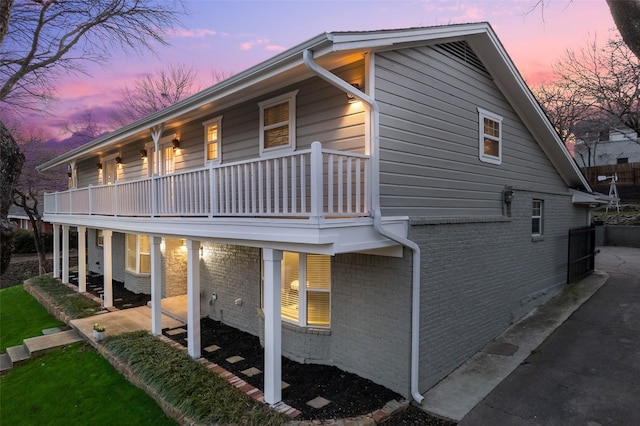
[(21, 317)]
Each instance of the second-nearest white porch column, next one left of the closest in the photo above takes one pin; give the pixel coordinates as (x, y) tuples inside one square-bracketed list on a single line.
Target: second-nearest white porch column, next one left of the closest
[(193, 296)]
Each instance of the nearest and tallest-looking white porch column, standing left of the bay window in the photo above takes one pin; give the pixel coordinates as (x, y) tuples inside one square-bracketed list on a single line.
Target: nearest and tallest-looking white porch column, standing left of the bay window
[(272, 326)]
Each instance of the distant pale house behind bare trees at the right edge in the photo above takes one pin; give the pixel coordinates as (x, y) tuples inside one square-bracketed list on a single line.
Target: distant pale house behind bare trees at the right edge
[(604, 146)]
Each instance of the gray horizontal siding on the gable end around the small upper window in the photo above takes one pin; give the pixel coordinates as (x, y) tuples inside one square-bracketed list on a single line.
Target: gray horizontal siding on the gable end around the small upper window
[(429, 163)]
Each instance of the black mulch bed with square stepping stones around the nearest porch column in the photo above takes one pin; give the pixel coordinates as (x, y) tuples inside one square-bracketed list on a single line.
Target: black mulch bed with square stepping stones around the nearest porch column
[(350, 395)]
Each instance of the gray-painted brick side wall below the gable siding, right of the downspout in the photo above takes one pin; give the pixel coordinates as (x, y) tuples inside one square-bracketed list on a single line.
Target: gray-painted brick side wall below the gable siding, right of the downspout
[(478, 277)]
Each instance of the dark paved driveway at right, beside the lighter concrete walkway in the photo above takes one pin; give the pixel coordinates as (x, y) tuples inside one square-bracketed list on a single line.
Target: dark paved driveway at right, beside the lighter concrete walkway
[(588, 371)]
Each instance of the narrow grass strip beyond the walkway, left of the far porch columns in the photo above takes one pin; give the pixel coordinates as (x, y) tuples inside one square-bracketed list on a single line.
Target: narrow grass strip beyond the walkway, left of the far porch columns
[(71, 302)]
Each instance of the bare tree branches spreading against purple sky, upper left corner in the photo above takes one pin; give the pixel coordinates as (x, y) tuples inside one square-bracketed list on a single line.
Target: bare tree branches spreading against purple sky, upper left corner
[(49, 38)]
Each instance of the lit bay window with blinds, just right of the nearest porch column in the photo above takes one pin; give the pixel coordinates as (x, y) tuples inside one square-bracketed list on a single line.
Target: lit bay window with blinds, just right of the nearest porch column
[(306, 289)]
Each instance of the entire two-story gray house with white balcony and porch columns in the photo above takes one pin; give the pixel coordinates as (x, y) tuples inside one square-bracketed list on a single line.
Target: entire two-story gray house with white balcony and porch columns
[(386, 202)]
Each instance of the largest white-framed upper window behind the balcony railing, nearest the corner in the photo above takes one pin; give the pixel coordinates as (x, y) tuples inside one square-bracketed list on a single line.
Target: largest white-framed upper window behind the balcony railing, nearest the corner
[(278, 123)]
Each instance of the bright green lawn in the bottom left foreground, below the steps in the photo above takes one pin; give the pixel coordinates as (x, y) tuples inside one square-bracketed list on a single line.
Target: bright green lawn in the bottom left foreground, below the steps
[(74, 385)]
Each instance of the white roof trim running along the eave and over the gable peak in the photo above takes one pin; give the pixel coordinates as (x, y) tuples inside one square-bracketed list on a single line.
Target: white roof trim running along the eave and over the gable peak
[(480, 36)]
